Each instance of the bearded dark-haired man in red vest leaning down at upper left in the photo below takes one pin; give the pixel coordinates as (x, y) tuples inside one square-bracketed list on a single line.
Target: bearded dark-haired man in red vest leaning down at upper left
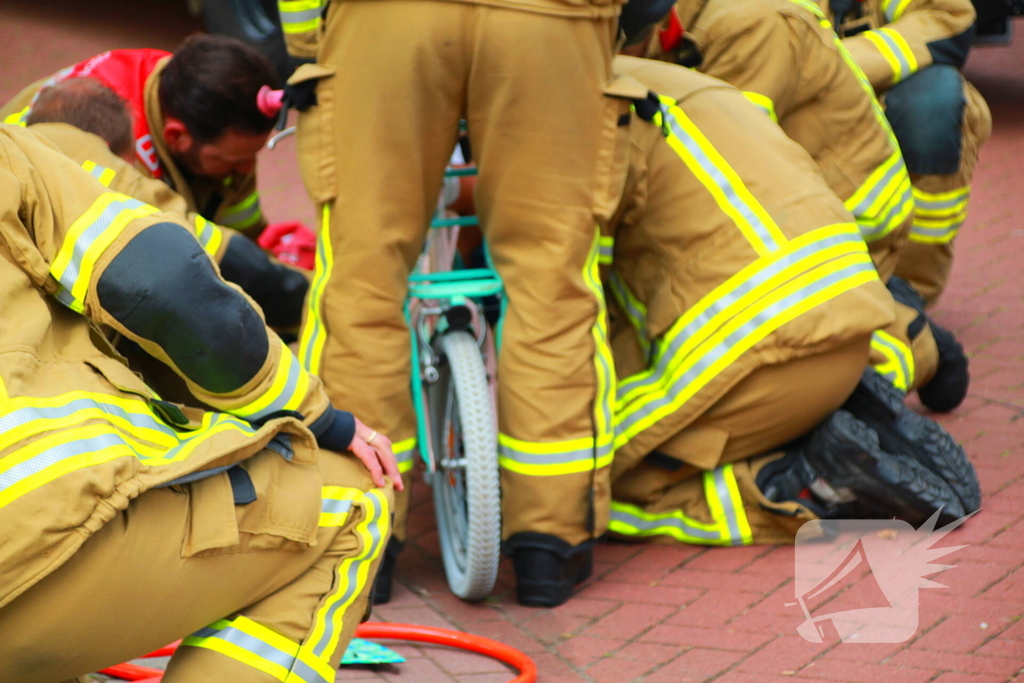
[(197, 124)]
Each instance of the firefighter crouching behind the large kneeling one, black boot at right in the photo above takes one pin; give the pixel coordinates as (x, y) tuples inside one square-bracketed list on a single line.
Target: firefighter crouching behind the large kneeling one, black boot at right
[(829, 107)]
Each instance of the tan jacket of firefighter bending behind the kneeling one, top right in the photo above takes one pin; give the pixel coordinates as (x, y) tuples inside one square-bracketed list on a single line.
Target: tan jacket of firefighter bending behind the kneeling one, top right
[(825, 105)]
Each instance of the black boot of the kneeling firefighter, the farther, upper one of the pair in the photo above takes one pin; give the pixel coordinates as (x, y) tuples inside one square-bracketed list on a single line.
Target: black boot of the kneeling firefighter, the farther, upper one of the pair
[(877, 403)]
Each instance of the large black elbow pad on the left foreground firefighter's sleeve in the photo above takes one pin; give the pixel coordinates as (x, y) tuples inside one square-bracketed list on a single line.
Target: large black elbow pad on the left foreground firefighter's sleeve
[(163, 288)]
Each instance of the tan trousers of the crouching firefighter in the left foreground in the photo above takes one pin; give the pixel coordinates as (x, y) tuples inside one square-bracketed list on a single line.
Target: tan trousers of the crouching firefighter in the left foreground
[(145, 580)]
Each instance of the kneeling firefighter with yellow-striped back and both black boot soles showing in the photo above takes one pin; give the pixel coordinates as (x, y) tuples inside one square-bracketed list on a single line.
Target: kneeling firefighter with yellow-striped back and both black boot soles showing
[(745, 302)]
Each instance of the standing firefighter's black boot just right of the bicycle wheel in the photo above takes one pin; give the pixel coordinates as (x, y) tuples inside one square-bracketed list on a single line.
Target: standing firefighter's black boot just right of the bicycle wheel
[(547, 569)]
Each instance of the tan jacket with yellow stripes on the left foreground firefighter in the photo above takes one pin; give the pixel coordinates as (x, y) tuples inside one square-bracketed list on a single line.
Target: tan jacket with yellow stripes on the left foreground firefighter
[(81, 436)]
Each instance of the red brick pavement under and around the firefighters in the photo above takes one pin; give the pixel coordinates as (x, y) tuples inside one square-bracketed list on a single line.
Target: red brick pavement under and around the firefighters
[(665, 615)]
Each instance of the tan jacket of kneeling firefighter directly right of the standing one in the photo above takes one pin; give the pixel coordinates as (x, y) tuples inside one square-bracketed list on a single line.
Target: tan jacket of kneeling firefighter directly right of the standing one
[(731, 253)]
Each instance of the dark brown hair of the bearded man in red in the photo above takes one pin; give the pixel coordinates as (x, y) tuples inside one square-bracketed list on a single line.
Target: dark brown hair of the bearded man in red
[(210, 84)]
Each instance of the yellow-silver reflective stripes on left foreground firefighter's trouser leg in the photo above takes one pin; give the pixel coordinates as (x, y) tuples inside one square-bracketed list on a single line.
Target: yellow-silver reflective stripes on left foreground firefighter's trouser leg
[(316, 660)]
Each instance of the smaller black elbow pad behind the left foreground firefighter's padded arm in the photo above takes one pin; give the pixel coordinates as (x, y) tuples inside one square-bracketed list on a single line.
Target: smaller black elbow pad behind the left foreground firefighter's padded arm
[(280, 291)]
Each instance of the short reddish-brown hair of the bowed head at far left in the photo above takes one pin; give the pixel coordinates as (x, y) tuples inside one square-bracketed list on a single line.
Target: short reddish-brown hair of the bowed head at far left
[(87, 104)]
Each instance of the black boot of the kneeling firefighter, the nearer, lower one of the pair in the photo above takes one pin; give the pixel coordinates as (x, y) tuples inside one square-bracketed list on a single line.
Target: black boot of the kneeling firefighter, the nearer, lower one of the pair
[(849, 461)]
